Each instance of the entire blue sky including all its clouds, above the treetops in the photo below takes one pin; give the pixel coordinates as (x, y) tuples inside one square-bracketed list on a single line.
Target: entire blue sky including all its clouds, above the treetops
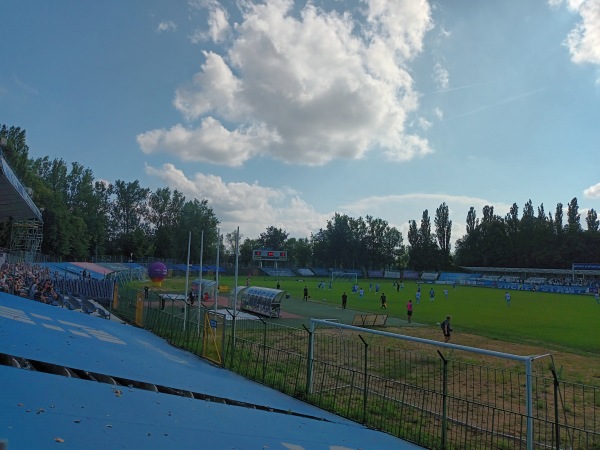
[(283, 113)]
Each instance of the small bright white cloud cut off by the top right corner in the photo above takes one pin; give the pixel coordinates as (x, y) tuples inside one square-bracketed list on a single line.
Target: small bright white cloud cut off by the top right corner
[(583, 41)]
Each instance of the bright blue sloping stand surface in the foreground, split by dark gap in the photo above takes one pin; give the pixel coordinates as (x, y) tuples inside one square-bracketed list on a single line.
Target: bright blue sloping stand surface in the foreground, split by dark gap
[(113, 386)]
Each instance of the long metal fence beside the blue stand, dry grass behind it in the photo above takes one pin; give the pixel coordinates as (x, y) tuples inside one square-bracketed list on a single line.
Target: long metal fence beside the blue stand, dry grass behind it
[(437, 395)]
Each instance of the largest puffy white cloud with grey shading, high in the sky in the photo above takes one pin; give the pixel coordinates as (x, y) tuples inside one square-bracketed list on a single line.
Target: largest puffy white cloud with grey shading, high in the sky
[(303, 88)]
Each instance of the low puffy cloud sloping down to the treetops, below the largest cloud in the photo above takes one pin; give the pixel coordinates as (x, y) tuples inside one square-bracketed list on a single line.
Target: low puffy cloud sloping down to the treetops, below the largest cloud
[(250, 206)]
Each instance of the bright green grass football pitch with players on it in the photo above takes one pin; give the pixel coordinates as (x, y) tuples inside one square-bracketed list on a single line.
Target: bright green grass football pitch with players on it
[(554, 321)]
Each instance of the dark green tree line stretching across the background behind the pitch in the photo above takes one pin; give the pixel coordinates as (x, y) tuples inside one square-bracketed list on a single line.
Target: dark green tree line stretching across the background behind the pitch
[(86, 218)]
